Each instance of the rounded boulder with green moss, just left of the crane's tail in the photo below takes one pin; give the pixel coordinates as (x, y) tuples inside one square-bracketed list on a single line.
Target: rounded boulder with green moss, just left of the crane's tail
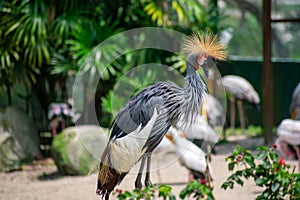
[(77, 150)]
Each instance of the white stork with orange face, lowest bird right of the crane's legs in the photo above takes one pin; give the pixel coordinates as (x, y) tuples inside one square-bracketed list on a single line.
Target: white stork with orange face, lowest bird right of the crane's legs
[(191, 156)]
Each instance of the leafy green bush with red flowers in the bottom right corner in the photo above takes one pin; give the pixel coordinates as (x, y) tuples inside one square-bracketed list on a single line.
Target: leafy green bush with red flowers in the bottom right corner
[(268, 170)]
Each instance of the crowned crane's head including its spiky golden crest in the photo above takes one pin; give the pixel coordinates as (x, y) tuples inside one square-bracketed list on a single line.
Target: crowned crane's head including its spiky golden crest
[(203, 48)]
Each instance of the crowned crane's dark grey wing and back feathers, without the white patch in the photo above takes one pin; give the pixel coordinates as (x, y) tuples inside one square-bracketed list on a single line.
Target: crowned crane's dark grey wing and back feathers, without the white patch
[(140, 108)]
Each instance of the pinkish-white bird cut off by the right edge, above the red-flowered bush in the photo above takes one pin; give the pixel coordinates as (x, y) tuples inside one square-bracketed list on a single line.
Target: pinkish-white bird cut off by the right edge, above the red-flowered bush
[(288, 141)]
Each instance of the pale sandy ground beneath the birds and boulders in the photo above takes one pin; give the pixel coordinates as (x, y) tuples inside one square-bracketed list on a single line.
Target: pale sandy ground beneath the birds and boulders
[(40, 180)]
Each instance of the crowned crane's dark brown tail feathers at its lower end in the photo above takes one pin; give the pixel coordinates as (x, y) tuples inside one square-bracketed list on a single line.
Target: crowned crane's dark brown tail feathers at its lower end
[(108, 178)]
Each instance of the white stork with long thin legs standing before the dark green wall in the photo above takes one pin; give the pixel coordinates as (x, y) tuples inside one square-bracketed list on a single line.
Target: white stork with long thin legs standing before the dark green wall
[(238, 88)]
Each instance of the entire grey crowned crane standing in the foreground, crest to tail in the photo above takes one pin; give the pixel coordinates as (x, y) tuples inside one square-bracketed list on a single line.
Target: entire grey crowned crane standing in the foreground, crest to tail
[(142, 123)]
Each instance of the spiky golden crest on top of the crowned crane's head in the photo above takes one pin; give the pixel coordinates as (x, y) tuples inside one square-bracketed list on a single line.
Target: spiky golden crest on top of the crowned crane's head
[(205, 43)]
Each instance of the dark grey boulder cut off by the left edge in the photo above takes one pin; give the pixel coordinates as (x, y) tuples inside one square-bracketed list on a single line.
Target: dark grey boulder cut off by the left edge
[(19, 141)]
